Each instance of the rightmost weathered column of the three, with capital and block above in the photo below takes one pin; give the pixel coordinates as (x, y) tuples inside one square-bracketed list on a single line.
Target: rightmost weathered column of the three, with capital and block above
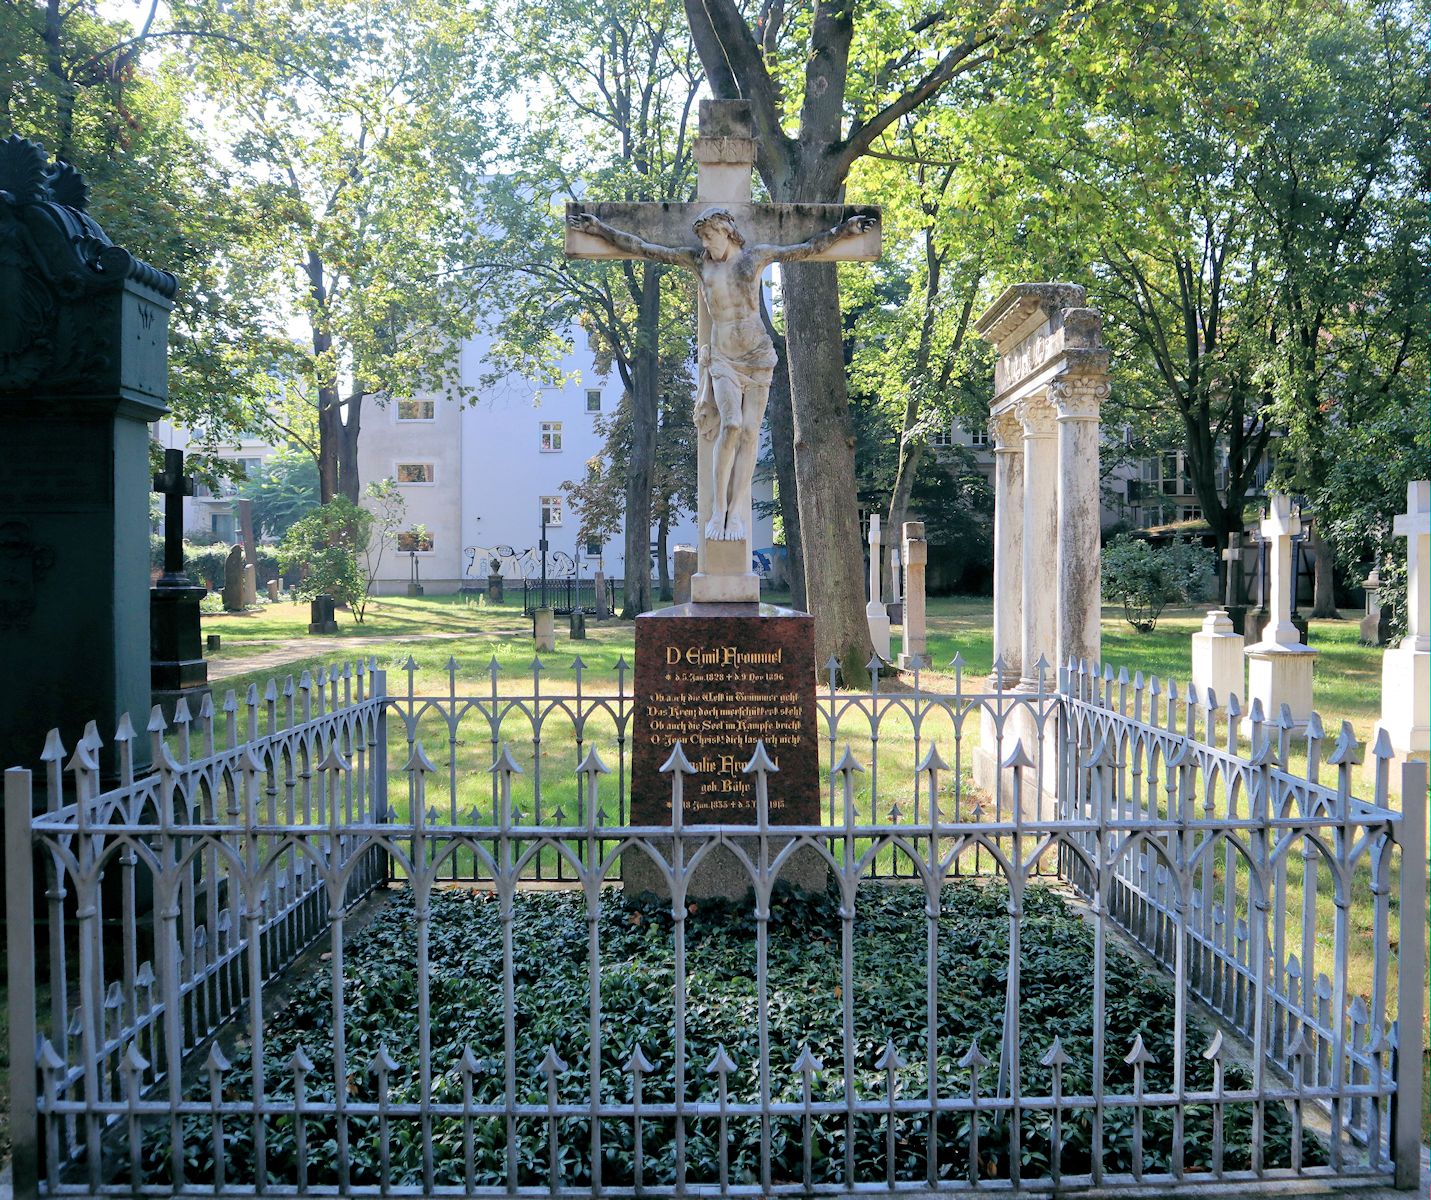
[(1078, 397)]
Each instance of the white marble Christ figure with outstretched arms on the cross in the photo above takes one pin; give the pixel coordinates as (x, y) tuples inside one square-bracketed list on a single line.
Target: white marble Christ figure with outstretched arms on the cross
[(738, 365)]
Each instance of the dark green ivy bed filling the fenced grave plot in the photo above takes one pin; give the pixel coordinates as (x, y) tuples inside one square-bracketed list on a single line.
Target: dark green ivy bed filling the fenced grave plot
[(550, 939)]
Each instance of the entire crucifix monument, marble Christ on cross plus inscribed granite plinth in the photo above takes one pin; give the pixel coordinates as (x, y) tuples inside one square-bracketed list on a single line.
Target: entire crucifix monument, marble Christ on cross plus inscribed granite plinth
[(725, 673)]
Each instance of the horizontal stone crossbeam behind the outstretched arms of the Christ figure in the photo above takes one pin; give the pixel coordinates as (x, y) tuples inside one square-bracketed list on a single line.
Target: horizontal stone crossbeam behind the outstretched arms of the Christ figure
[(669, 224)]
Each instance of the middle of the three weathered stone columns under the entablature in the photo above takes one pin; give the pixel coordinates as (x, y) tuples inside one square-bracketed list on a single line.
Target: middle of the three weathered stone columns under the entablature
[(1041, 541)]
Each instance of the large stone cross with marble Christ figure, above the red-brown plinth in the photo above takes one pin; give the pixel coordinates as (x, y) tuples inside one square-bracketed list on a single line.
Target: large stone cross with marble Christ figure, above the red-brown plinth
[(728, 242)]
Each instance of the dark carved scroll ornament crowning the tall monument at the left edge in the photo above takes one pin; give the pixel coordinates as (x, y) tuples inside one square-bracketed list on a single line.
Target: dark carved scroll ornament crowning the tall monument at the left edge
[(54, 264)]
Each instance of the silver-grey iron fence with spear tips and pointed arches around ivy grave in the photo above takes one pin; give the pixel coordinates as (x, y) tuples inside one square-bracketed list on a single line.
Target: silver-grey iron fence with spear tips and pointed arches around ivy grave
[(201, 1029)]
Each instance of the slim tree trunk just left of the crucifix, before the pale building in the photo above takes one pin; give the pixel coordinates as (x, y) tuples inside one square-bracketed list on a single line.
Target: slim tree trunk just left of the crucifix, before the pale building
[(646, 415)]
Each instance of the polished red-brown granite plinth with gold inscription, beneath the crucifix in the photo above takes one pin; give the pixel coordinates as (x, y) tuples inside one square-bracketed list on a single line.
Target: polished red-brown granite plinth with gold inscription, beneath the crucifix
[(719, 679)]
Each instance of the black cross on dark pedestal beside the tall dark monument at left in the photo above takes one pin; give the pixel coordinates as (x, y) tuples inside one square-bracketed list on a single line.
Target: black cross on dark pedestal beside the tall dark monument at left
[(178, 669)]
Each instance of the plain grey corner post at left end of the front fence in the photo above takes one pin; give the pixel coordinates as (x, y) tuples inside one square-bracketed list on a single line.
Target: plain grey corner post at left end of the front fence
[(19, 880)]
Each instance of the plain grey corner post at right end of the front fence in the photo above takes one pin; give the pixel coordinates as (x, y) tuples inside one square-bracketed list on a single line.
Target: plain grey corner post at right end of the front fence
[(1412, 976)]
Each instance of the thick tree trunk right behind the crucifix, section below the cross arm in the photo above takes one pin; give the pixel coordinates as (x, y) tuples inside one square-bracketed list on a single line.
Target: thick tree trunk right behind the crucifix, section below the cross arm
[(825, 470)]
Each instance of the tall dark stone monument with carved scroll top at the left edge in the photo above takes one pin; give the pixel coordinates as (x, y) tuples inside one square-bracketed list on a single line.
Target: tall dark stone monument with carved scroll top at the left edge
[(84, 370)]
